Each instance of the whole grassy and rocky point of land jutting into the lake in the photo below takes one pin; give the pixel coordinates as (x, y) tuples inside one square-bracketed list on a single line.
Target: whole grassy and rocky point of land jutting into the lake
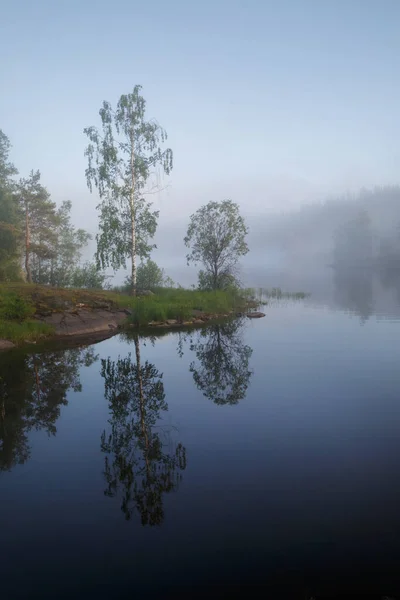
[(31, 314)]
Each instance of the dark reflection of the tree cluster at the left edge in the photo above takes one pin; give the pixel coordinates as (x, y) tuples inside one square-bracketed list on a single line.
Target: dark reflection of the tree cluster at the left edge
[(32, 390)]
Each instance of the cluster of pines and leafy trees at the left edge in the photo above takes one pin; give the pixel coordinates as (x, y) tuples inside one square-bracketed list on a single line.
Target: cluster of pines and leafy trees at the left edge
[(38, 242)]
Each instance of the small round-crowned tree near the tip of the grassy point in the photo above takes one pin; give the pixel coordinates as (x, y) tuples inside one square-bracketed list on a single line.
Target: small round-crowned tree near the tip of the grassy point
[(216, 238)]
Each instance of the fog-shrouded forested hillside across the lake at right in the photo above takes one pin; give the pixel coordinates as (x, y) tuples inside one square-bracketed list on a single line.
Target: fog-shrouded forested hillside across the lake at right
[(350, 230)]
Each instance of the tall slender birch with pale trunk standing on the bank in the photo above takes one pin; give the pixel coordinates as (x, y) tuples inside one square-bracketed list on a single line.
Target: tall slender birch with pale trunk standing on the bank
[(122, 157)]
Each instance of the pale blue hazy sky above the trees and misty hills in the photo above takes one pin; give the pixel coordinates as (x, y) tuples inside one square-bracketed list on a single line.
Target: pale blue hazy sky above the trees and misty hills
[(269, 103)]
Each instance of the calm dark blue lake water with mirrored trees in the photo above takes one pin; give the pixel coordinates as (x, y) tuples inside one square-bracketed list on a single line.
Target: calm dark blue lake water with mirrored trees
[(253, 452)]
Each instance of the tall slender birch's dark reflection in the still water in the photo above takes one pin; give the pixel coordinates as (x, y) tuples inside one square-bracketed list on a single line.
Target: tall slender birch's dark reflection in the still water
[(139, 465)]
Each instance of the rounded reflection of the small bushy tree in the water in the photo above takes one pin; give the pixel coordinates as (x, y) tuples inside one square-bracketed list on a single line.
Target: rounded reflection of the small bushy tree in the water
[(221, 370)]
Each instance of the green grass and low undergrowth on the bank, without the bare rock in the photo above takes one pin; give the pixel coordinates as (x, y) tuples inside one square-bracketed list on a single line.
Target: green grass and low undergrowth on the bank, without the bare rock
[(22, 305)]
